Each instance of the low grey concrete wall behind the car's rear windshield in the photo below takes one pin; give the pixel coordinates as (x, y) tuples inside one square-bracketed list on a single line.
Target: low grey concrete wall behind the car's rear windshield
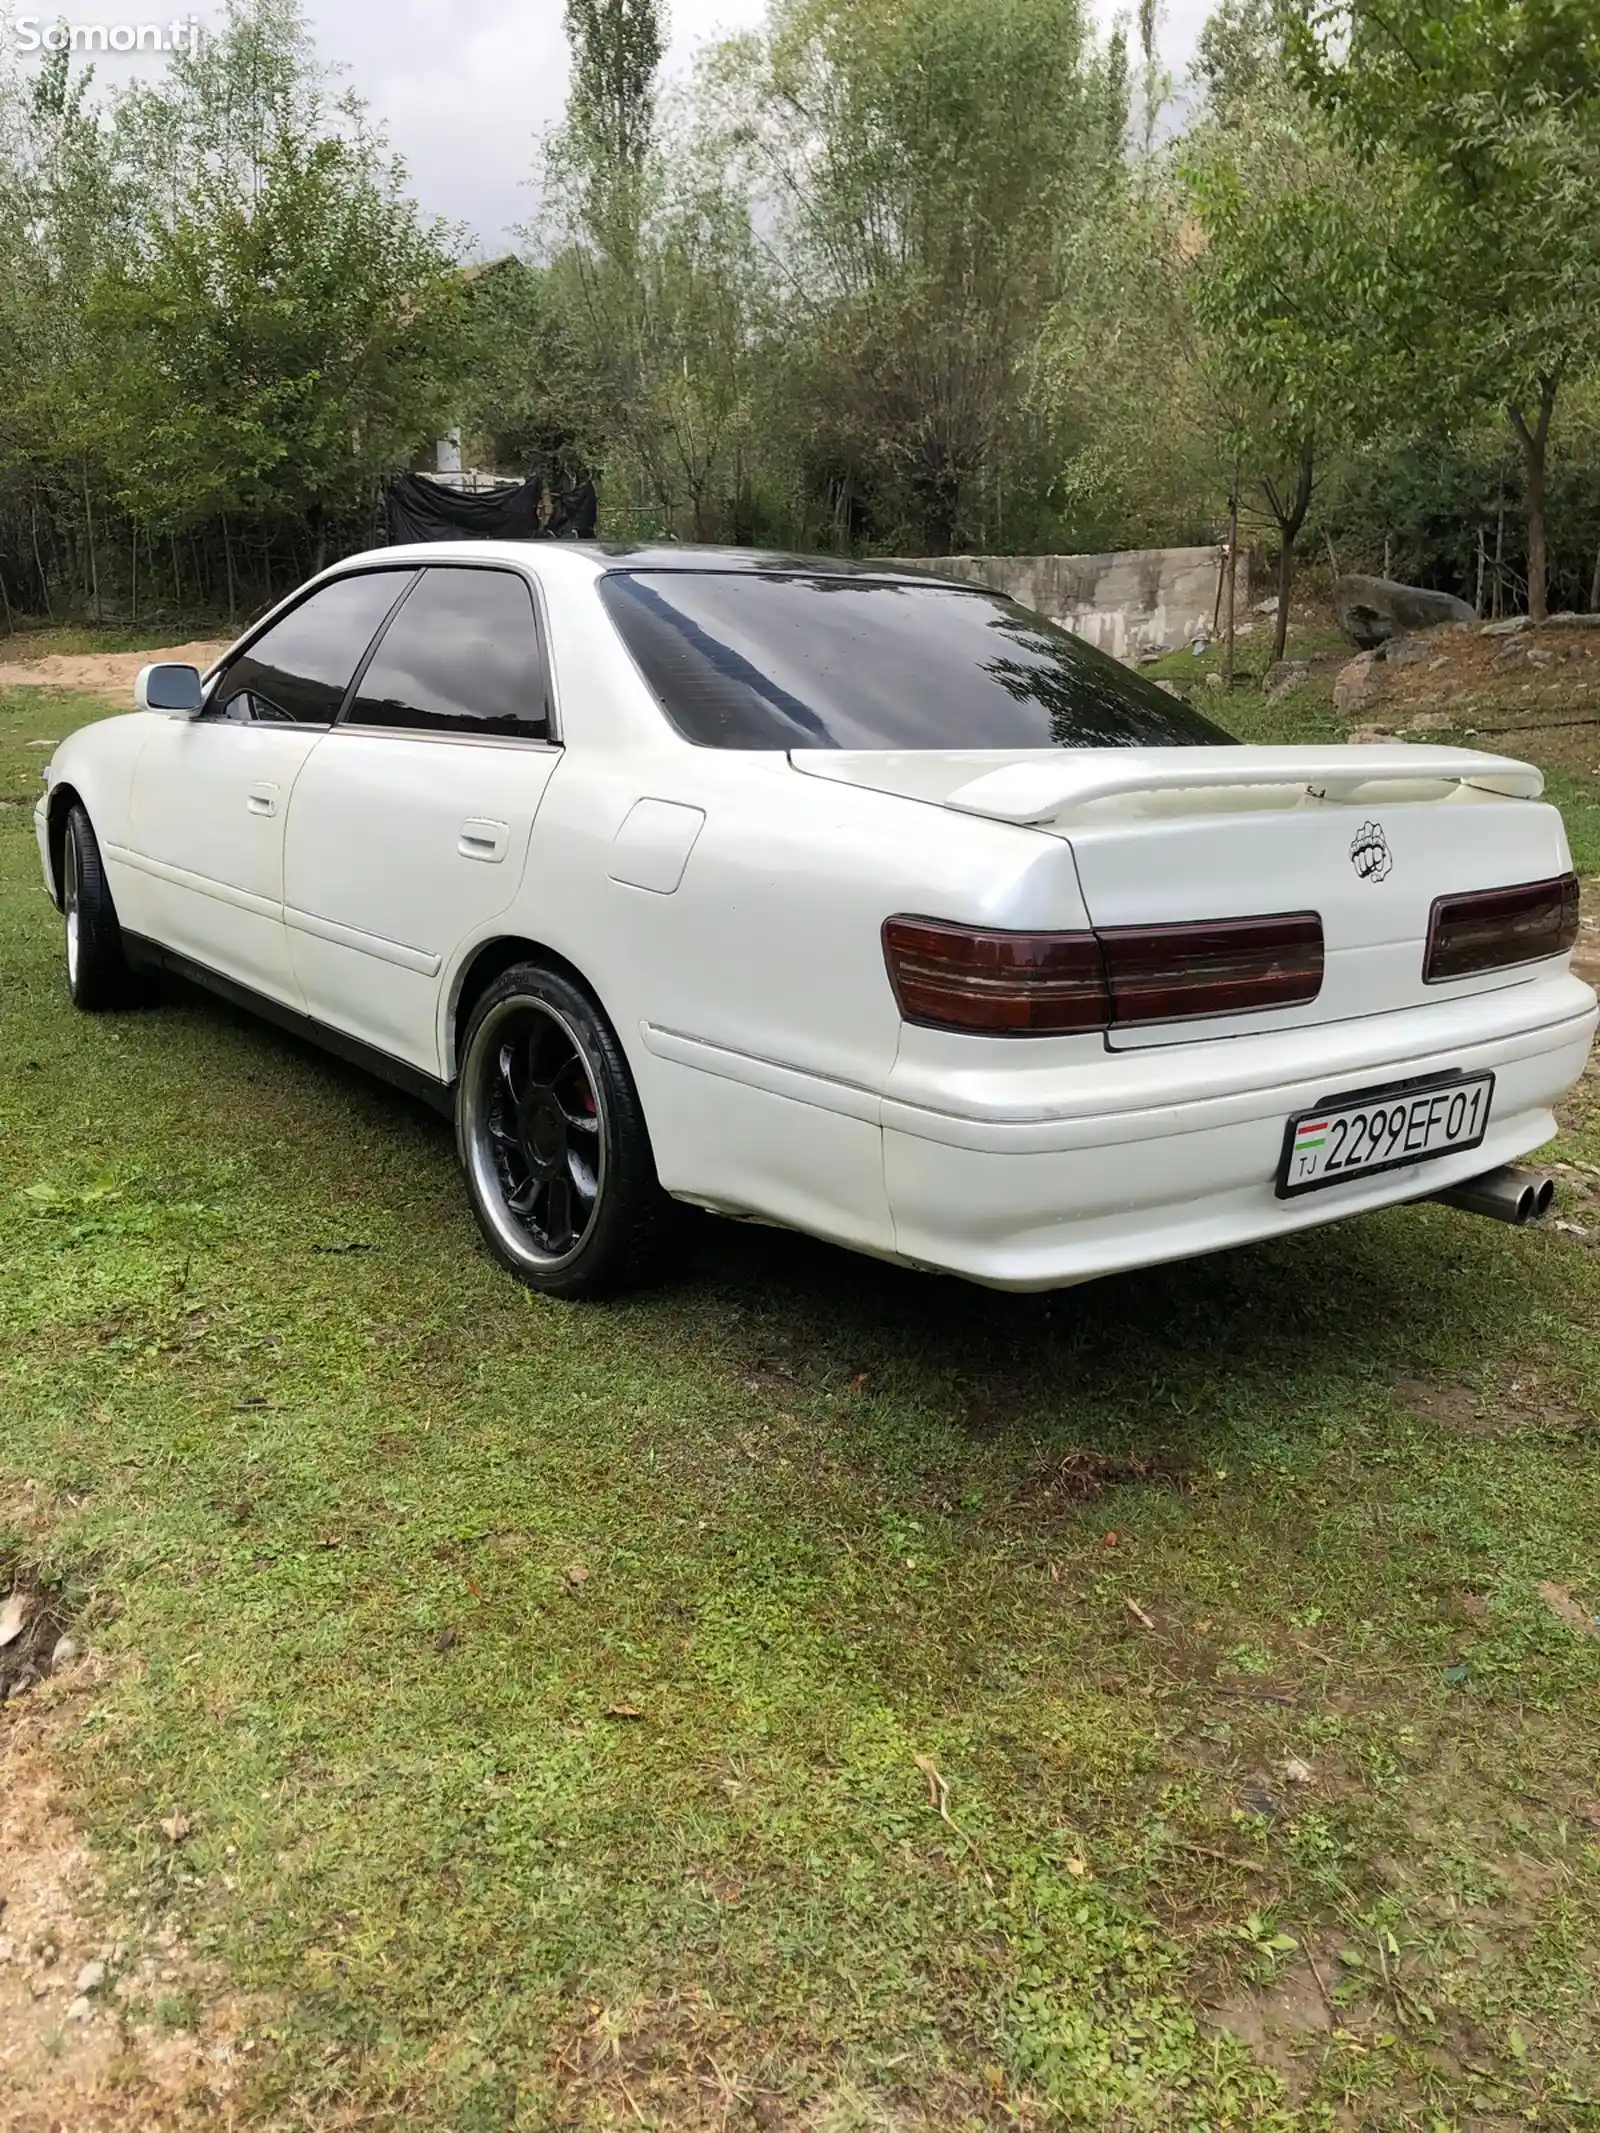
[(1145, 600)]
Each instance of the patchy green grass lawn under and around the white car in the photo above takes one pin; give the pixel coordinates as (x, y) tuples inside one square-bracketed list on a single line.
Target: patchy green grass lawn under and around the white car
[(562, 1699)]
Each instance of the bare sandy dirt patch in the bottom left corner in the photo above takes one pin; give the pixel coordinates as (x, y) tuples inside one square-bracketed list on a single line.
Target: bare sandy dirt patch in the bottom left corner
[(97, 2025)]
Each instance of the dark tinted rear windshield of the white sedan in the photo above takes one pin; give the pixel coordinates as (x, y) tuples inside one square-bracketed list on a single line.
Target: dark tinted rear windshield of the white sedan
[(786, 662)]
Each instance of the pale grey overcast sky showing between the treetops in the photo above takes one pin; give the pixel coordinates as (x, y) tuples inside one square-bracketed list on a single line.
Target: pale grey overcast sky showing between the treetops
[(466, 86)]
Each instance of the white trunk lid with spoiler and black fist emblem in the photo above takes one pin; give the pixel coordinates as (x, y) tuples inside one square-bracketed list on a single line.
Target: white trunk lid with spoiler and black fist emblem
[(1364, 837)]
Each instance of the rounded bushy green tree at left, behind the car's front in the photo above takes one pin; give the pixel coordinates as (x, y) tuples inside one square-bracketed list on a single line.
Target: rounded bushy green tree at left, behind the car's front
[(272, 357)]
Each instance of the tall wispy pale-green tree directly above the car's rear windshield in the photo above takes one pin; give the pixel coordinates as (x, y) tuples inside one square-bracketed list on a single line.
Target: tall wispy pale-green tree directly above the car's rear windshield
[(918, 167)]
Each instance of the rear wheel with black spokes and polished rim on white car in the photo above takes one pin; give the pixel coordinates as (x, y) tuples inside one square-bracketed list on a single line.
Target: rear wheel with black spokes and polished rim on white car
[(554, 1142)]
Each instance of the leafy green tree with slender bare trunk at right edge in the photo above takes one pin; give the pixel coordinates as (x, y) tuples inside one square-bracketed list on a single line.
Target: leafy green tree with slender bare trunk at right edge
[(1494, 112)]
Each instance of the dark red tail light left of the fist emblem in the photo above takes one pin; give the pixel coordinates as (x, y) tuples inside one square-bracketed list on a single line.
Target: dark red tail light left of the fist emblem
[(1014, 984)]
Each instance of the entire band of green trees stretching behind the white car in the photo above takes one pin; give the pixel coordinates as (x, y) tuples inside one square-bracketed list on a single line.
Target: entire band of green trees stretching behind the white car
[(901, 276)]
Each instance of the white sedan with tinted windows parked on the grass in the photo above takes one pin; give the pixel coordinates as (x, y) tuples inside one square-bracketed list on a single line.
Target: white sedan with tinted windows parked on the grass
[(833, 897)]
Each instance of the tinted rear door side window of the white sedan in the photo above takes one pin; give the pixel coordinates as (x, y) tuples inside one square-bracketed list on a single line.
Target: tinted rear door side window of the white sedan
[(460, 658)]
